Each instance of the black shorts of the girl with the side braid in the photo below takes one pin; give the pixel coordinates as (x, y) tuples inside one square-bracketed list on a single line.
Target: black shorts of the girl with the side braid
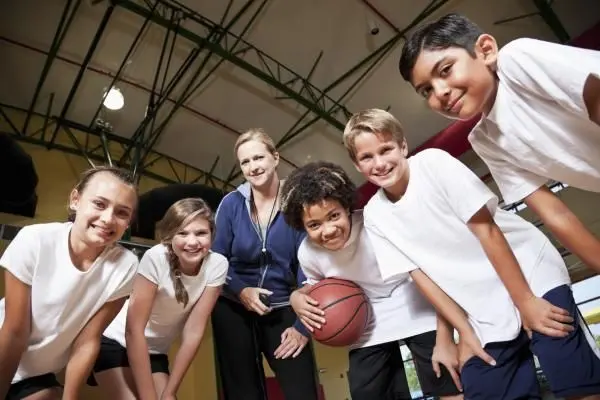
[(113, 355)]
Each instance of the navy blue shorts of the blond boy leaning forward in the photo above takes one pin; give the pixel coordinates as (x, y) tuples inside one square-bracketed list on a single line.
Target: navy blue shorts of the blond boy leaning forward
[(570, 364)]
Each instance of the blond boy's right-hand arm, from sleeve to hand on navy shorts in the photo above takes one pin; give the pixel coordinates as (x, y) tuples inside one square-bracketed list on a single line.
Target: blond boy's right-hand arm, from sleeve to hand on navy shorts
[(537, 313)]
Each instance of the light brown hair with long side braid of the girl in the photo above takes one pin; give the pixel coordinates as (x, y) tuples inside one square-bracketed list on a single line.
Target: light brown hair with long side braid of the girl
[(177, 216)]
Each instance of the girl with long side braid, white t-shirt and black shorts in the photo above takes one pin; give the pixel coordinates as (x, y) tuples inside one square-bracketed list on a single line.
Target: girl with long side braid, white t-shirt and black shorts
[(174, 292)]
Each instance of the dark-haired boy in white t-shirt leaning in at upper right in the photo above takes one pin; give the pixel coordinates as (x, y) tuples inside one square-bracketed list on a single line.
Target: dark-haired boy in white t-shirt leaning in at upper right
[(541, 114)]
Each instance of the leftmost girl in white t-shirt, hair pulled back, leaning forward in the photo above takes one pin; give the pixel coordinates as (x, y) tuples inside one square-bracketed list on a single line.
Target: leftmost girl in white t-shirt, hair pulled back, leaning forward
[(64, 283)]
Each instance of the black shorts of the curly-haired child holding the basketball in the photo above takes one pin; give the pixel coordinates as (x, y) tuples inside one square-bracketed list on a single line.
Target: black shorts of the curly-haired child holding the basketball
[(377, 372)]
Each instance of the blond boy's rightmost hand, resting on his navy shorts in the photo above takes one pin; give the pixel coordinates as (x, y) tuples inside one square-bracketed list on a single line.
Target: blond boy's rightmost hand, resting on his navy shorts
[(542, 316)]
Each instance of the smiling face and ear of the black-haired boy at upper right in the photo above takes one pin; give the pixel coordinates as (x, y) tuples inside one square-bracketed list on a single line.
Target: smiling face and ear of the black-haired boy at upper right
[(454, 83)]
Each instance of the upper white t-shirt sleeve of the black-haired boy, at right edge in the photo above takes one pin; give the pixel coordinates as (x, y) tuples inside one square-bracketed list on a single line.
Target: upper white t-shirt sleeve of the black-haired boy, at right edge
[(549, 70)]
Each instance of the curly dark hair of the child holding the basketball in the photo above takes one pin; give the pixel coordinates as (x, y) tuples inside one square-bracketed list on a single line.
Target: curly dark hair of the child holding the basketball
[(311, 184)]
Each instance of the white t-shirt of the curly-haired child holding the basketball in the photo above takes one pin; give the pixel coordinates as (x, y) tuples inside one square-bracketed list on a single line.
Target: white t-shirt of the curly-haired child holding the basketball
[(399, 309)]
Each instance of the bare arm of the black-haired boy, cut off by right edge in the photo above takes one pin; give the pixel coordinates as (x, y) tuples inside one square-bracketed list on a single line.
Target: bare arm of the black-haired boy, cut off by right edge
[(565, 226)]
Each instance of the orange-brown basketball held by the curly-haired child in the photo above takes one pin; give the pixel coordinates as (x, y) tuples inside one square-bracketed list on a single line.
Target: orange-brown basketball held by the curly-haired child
[(346, 310)]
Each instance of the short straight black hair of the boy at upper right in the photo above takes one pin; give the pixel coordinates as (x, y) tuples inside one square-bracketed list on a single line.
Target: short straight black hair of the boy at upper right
[(452, 30)]
